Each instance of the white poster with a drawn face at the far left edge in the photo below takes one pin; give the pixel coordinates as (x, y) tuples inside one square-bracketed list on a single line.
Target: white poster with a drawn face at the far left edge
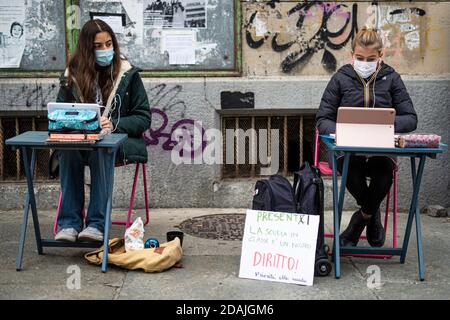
[(12, 33)]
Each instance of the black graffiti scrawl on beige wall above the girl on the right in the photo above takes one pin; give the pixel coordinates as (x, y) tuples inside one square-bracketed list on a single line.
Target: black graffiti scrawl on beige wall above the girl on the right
[(308, 28)]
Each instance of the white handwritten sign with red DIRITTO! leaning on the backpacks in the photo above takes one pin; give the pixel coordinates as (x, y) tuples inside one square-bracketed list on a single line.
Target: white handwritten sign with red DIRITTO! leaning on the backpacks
[(279, 246)]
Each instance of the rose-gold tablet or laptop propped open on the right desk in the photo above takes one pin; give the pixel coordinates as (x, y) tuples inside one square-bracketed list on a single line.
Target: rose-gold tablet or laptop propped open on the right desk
[(365, 127)]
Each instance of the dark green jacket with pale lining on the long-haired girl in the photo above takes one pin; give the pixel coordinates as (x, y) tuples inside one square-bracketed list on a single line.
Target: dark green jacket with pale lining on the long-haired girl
[(128, 97)]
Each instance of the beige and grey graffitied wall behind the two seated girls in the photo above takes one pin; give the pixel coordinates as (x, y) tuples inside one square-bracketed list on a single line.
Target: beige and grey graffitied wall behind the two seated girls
[(424, 68)]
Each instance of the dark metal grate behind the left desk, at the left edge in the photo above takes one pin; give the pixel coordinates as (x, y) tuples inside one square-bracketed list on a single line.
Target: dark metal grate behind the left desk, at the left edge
[(11, 166)]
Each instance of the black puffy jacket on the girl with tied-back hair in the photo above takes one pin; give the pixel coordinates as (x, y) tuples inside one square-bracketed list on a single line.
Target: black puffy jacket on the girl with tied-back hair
[(386, 90)]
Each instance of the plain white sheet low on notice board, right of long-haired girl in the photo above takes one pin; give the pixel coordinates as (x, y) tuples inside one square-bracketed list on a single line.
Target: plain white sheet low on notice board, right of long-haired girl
[(180, 45)]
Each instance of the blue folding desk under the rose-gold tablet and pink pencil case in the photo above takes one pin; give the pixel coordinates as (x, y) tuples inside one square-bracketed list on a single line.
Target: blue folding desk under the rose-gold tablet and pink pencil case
[(338, 201)]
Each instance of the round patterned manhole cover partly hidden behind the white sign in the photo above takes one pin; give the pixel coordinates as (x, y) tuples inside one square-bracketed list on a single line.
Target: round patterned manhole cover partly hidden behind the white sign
[(216, 226)]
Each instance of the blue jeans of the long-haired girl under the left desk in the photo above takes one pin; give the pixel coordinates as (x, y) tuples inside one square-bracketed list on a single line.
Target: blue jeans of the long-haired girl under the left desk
[(71, 172)]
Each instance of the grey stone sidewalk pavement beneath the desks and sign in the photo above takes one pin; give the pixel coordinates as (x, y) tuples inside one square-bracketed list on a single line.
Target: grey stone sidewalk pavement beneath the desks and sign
[(211, 267)]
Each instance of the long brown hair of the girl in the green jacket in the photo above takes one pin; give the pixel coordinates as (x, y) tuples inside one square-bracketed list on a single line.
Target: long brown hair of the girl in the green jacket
[(82, 65)]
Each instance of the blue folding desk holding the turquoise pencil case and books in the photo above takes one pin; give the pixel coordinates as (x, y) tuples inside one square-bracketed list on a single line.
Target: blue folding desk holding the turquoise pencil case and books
[(33, 140)]
